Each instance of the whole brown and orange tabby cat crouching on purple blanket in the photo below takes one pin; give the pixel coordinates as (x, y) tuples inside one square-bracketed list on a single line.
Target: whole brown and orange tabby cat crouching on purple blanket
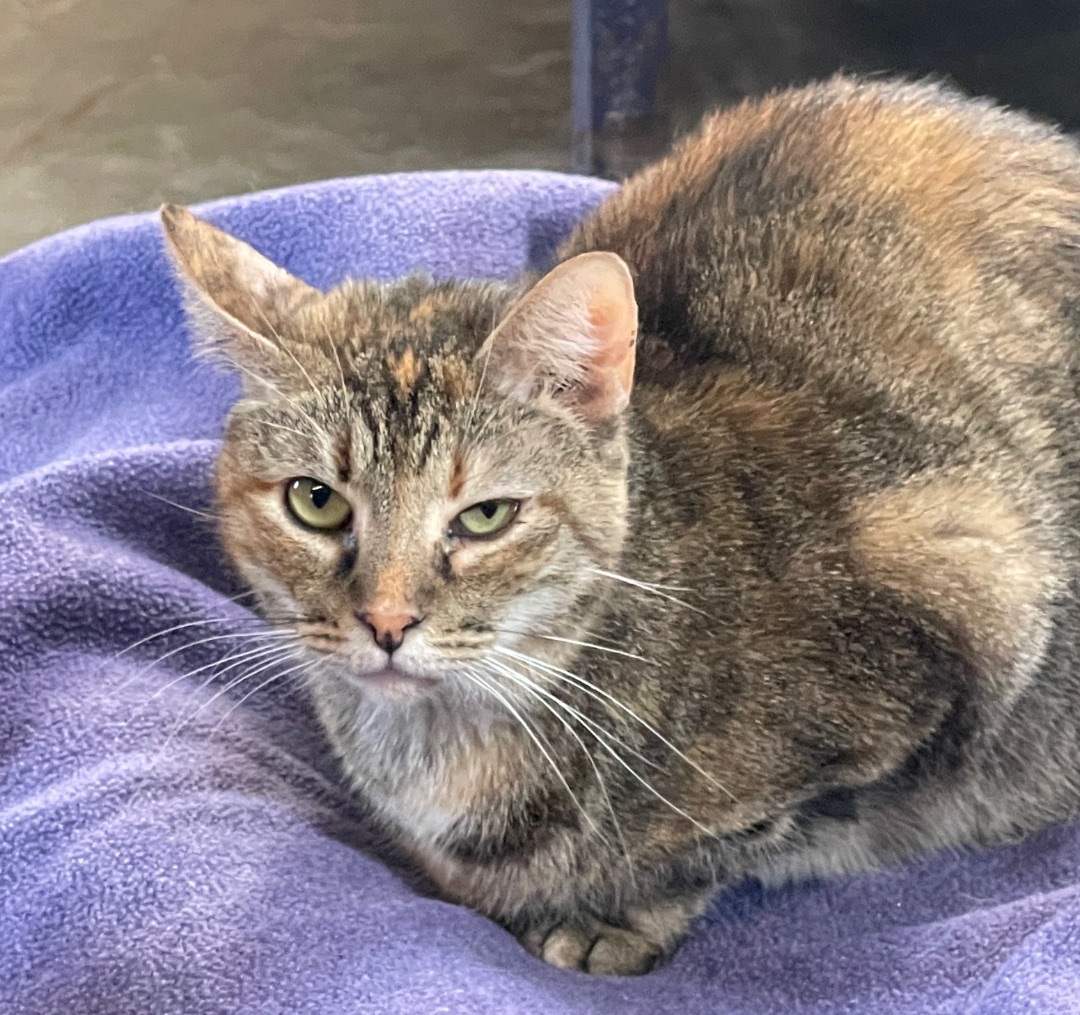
[(740, 545)]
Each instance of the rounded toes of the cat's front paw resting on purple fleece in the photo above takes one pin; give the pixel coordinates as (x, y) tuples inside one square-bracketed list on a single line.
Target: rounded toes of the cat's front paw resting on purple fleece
[(595, 948)]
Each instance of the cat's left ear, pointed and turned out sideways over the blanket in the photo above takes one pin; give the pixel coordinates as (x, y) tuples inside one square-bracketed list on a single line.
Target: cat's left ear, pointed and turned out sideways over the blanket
[(240, 303)]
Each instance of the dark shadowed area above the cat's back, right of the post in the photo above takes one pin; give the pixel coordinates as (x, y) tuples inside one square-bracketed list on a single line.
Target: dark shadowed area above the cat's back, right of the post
[(1023, 52)]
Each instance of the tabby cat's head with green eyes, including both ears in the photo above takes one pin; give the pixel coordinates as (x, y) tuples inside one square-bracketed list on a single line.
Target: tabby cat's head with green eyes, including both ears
[(417, 473)]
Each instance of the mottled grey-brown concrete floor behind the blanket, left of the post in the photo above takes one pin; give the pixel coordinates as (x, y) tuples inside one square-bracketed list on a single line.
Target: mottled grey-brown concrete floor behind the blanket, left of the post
[(113, 106)]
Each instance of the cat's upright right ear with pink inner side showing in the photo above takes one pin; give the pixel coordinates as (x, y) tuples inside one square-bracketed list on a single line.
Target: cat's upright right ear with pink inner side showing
[(573, 336)]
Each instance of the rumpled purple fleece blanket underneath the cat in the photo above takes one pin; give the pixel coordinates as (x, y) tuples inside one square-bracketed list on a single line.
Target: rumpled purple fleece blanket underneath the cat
[(173, 844)]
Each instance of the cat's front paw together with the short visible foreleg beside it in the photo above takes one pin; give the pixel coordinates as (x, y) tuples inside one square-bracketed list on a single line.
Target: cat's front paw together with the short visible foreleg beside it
[(643, 937)]
